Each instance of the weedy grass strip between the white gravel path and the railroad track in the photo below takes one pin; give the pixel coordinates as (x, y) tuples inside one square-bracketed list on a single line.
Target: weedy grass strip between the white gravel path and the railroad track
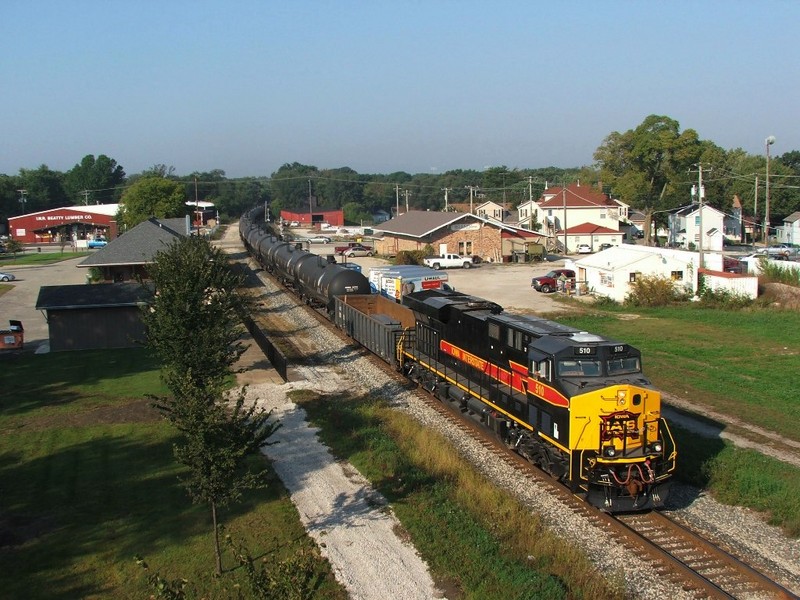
[(475, 538)]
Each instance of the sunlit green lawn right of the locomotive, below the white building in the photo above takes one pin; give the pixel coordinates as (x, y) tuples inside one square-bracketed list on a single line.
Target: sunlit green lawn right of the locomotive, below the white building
[(741, 363)]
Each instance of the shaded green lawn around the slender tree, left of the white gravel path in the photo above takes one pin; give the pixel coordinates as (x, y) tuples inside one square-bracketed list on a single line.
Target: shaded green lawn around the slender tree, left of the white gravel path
[(88, 481)]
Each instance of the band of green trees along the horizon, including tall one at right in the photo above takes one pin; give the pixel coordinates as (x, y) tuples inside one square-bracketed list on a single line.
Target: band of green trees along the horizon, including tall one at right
[(651, 167)]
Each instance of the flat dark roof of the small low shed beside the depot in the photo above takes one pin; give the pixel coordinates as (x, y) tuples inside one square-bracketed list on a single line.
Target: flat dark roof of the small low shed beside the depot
[(102, 295)]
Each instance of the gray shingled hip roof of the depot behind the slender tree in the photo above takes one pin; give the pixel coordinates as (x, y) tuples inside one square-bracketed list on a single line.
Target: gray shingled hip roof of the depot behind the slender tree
[(139, 245)]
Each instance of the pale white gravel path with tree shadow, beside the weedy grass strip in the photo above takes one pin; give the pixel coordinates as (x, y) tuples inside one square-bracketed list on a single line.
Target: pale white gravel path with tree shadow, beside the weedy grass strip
[(352, 524)]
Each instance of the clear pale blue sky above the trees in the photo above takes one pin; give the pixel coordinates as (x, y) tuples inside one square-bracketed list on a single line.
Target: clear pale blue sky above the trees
[(246, 86)]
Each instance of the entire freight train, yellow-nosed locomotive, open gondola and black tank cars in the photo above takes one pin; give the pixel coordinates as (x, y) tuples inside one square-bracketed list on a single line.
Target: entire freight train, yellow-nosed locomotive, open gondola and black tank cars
[(574, 403)]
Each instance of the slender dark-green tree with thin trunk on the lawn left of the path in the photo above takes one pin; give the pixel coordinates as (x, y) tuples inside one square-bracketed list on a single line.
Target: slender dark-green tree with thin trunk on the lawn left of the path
[(194, 328)]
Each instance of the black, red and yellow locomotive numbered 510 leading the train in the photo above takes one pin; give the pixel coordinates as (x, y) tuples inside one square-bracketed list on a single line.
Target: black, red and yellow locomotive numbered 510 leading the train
[(574, 403)]
